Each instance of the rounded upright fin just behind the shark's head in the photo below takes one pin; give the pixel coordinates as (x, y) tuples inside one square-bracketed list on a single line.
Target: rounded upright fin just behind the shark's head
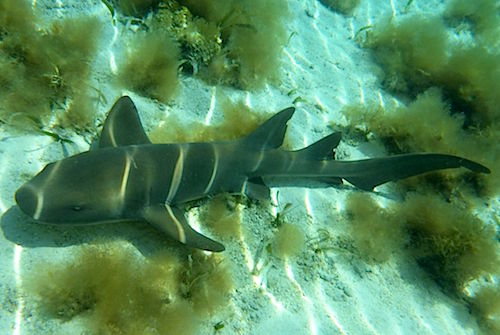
[(123, 126)]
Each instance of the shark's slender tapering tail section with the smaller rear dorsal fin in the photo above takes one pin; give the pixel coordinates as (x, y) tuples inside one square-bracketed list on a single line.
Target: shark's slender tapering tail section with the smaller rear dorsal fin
[(316, 164)]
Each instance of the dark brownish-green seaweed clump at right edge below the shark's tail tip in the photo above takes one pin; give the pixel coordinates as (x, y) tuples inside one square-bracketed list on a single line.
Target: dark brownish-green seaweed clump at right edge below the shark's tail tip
[(448, 242)]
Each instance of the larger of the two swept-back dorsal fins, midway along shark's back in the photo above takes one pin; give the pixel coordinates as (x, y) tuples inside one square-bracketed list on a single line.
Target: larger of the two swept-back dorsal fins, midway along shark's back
[(270, 134)]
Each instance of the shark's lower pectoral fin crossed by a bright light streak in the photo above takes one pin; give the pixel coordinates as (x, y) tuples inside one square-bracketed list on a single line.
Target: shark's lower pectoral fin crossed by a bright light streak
[(171, 220)]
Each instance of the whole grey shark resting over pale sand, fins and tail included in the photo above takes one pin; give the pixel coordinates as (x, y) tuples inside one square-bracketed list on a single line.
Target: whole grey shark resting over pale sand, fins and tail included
[(126, 177)]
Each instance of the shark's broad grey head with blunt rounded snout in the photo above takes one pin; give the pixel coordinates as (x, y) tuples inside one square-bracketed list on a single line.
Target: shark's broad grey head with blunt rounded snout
[(67, 192)]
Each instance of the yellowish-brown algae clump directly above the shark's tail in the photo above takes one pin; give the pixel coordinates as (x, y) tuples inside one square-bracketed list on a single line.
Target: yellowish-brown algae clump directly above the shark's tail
[(424, 125)]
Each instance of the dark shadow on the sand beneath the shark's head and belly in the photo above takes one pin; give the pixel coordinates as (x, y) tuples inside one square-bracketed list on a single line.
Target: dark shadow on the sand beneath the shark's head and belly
[(21, 230)]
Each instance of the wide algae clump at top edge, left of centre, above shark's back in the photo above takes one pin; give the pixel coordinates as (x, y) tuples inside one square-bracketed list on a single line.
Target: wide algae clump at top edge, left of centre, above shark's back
[(235, 43)]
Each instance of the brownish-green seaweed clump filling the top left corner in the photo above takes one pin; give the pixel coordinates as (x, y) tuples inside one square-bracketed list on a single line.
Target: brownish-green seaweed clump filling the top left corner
[(46, 68)]
